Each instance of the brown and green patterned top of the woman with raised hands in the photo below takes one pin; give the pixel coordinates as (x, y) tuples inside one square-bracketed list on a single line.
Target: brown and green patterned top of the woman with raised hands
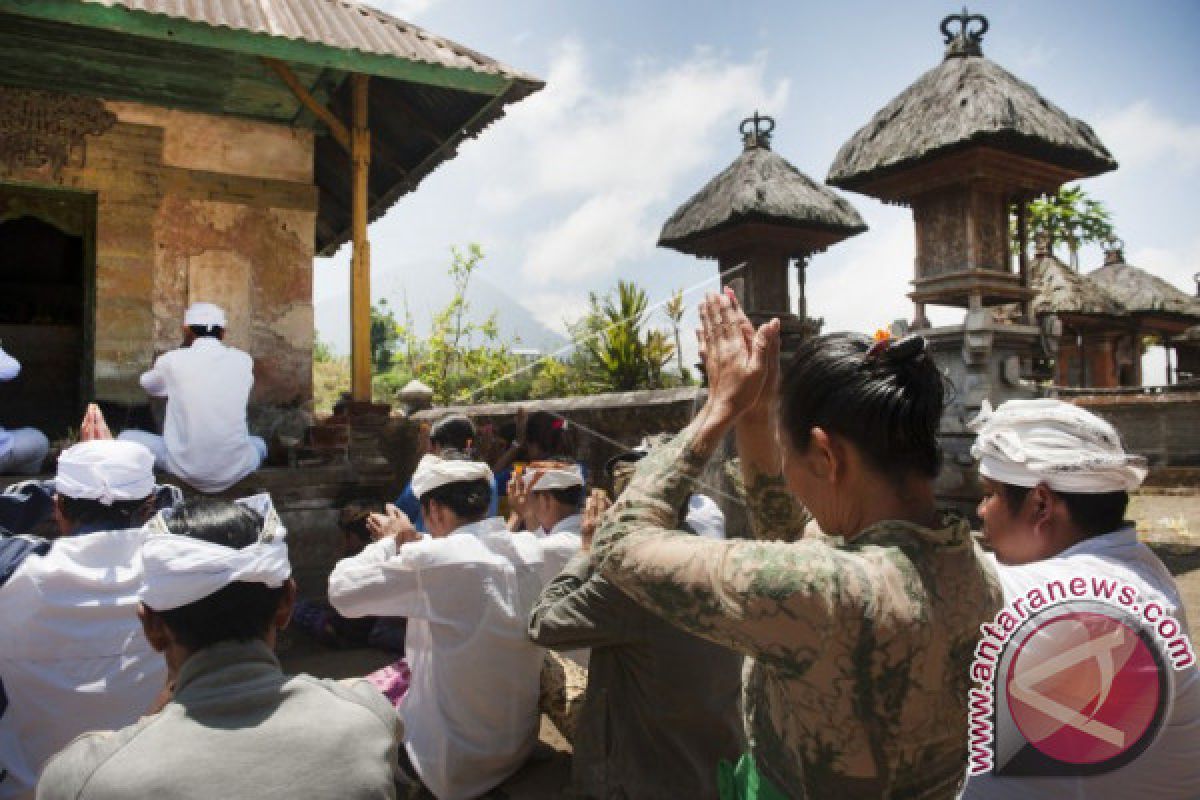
[(860, 654)]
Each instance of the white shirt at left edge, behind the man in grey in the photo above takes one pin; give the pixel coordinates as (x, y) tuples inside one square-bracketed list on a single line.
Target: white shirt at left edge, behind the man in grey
[(73, 654)]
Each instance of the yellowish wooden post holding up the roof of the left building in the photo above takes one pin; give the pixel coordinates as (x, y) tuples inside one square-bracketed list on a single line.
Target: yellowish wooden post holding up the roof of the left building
[(361, 260)]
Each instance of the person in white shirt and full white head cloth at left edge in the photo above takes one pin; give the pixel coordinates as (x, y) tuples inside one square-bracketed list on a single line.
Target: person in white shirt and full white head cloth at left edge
[(73, 658)]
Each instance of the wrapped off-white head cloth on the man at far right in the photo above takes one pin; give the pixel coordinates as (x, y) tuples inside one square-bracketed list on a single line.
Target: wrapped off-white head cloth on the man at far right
[(1025, 443)]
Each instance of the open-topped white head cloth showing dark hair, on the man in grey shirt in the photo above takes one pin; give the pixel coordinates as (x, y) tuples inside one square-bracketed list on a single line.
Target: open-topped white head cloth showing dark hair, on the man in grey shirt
[(181, 570)]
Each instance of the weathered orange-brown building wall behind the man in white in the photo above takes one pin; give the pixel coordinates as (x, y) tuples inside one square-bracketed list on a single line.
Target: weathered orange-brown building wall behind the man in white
[(193, 207)]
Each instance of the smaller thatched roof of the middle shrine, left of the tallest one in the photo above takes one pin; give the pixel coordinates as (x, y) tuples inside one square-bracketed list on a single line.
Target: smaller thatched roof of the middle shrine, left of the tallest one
[(759, 187)]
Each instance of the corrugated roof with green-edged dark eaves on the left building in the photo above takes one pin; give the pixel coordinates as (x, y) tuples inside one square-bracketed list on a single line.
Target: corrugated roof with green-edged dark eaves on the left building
[(427, 94)]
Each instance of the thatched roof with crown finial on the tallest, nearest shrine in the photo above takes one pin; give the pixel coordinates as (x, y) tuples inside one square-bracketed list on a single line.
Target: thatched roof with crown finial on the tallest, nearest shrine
[(968, 100)]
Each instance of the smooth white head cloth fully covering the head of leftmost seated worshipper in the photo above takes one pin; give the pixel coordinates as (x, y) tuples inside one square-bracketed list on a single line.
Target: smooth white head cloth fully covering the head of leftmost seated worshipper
[(106, 471)]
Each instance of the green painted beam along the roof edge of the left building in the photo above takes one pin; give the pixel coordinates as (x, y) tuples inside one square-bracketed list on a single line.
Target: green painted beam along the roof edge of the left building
[(170, 29)]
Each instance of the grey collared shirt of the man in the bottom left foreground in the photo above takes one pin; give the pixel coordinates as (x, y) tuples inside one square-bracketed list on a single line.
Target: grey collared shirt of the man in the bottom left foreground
[(238, 727)]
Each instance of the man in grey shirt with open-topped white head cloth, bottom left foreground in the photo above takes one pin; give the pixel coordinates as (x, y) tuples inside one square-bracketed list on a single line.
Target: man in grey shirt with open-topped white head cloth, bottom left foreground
[(218, 590)]
